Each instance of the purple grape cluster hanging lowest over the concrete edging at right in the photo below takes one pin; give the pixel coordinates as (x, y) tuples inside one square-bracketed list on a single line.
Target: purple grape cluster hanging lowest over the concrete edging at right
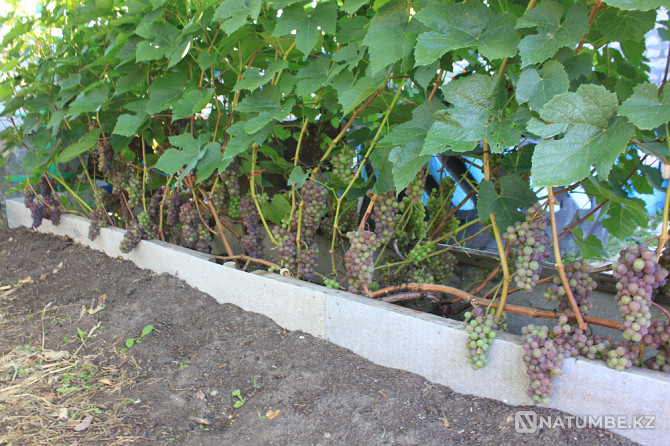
[(544, 351)]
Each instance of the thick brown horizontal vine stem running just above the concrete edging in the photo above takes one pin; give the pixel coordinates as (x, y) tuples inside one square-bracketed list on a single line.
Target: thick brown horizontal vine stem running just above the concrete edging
[(473, 300)]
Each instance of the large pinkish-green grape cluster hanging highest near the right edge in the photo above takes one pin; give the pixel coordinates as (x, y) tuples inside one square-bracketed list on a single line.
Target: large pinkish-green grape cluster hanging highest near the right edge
[(638, 274)]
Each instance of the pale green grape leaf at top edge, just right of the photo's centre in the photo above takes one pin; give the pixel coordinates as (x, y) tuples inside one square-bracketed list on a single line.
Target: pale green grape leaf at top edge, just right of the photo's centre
[(387, 35)]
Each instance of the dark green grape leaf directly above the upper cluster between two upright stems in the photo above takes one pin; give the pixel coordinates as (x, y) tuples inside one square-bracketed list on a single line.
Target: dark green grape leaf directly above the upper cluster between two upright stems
[(515, 193)]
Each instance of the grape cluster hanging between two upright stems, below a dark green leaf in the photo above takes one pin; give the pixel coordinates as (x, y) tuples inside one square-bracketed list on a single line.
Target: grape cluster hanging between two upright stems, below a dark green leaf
[(532, 247)]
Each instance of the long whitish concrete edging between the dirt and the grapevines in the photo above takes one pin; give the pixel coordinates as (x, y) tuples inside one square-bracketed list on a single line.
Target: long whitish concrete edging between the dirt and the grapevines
[(392, 336)]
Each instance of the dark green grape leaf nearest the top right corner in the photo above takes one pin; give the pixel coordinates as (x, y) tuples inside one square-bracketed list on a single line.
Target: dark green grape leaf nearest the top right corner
[(617, 25)]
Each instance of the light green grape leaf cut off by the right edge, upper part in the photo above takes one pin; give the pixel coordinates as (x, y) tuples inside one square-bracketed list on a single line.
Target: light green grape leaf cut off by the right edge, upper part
[(645, 109)]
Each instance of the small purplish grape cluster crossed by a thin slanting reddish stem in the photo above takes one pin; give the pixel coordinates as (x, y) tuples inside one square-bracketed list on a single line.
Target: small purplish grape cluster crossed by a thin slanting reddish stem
[(581, 284)]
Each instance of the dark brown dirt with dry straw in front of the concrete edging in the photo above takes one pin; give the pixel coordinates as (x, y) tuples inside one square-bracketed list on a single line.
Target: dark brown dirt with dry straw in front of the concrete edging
[(176, 386)]
